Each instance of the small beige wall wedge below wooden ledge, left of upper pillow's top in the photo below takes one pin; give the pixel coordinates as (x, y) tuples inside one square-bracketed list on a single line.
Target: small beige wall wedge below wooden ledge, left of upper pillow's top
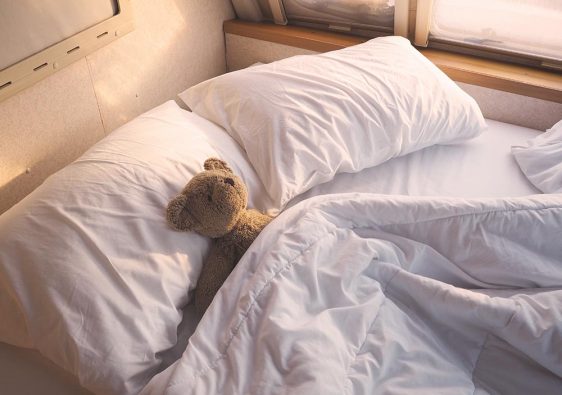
[(242, 52)]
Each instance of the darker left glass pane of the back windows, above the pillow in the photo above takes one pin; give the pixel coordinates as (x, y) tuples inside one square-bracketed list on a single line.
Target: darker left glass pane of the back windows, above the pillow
[(366, 13)]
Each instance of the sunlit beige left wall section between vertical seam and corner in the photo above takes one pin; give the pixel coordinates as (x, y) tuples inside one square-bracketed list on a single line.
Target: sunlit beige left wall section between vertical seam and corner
[(175, 44)]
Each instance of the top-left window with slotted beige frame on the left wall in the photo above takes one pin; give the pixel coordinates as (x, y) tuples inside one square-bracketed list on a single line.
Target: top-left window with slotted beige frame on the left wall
[(40, 37)]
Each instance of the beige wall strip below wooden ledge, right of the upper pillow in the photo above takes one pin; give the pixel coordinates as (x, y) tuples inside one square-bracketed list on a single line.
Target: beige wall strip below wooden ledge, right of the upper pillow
[(516, 109)]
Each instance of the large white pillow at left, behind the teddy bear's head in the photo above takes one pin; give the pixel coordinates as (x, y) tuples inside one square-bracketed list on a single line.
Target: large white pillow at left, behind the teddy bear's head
[(90, 273)]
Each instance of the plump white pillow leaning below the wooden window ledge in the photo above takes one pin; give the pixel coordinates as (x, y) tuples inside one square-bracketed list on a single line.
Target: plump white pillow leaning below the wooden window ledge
[(301, 120)]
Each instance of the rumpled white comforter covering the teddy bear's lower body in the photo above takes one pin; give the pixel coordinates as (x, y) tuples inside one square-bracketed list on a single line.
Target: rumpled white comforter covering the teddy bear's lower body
[(371, 294)]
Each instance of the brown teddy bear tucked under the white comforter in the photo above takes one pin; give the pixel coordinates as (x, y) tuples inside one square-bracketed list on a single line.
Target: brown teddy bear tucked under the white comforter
[(213, 204)]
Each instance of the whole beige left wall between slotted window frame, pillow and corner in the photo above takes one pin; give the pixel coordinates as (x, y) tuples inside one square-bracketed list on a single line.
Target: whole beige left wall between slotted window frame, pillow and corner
[(175, 44)]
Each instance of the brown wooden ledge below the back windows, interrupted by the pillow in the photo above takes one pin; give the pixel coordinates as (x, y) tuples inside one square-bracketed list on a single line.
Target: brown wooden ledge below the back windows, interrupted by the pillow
[(522, 80)]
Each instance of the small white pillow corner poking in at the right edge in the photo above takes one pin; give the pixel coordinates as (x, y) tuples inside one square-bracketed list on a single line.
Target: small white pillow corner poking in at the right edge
[(541, 160)]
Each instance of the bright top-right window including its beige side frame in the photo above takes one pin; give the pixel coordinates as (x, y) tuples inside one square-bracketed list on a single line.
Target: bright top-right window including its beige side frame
[(523, 31)]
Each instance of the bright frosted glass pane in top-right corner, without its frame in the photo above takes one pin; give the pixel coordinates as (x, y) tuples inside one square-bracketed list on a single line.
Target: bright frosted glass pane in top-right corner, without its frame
[(531, 27)]
